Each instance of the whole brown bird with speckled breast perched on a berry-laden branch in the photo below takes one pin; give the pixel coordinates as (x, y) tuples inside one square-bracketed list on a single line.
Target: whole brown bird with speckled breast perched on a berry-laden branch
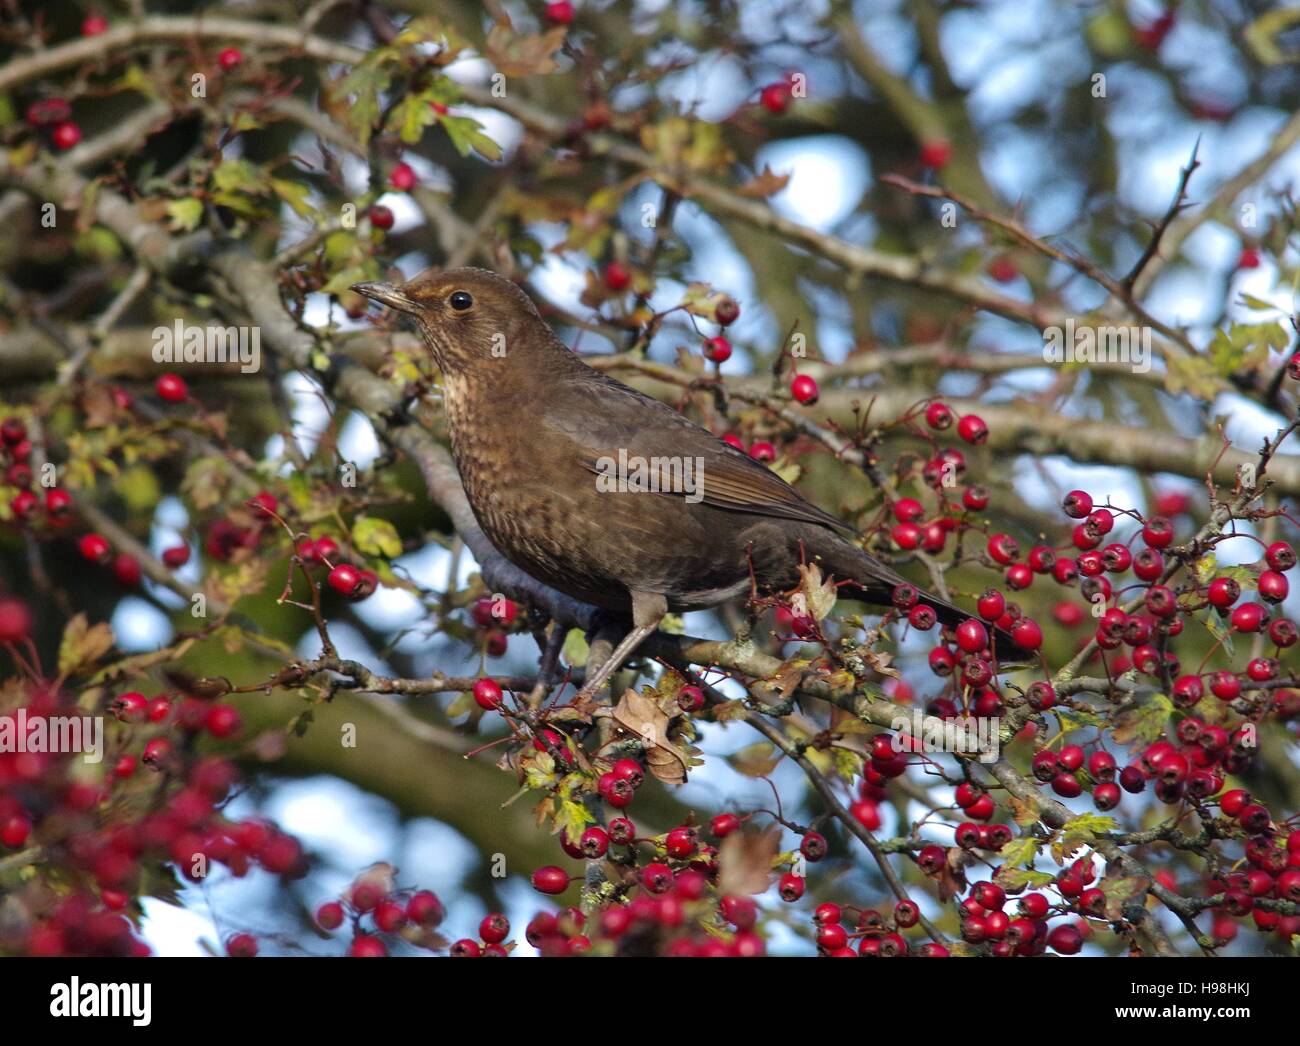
[(552, 453)]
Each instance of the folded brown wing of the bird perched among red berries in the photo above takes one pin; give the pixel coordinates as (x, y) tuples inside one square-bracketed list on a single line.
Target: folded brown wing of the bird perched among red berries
[(600, 418)]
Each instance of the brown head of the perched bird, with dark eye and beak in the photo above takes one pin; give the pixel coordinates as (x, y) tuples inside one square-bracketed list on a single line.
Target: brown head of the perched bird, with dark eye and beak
[(469, 318)]
